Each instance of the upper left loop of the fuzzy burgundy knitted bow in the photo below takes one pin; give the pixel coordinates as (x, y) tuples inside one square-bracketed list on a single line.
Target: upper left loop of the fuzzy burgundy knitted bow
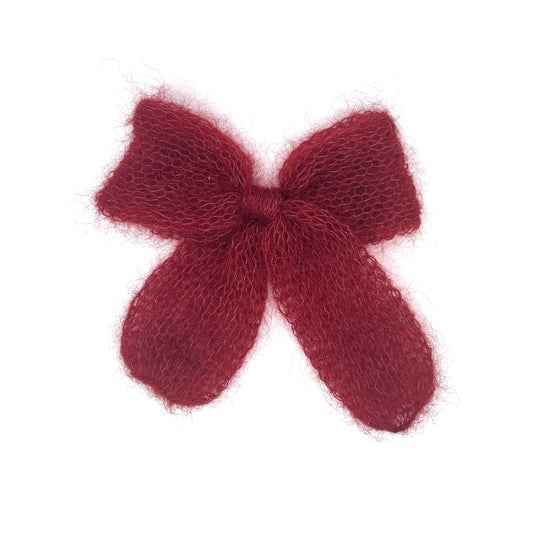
[(180, 176)]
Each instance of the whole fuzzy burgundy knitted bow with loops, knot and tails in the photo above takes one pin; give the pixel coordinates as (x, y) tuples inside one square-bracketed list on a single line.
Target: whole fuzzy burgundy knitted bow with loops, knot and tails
[(190, 327)]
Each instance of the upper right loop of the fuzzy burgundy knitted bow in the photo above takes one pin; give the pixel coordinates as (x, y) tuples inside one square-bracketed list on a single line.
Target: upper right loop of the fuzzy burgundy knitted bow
[(357, 170)]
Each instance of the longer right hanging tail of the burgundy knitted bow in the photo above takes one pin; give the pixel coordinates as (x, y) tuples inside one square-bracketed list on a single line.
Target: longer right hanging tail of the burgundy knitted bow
[(354, 326)]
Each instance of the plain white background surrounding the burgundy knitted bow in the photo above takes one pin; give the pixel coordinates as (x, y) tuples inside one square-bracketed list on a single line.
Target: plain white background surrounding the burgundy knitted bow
[(83, 448)]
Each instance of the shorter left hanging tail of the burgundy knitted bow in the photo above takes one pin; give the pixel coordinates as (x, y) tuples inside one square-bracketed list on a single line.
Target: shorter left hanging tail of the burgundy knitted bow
[(190, 327)]
